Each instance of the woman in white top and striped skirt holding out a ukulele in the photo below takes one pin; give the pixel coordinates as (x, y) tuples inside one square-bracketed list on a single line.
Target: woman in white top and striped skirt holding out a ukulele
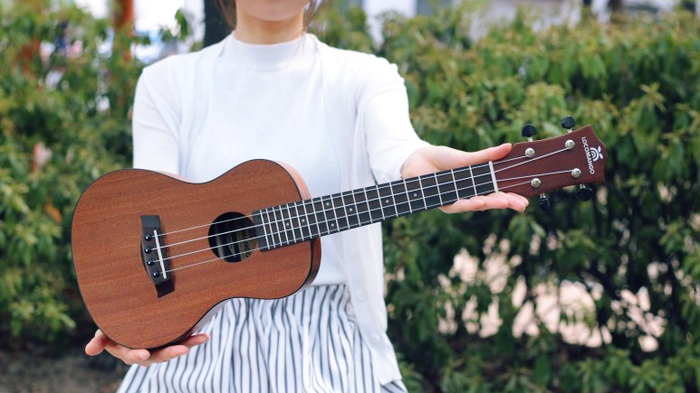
[(340, 118)]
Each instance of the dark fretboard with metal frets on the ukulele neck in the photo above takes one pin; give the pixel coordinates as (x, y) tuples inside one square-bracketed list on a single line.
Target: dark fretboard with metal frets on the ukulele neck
[(305, 220)]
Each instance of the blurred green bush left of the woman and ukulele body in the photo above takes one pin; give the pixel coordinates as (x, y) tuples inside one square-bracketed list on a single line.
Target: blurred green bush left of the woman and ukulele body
[(64, 108)]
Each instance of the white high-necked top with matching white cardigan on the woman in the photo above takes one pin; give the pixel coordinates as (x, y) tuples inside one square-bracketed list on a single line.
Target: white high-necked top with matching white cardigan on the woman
[(340, 118)]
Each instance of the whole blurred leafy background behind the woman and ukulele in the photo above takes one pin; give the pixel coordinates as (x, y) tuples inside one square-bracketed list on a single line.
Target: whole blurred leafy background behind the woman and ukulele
[(596, 296)]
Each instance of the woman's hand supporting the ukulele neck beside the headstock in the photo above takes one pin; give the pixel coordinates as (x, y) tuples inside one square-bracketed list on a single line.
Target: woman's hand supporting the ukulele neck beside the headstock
[(439, 158)]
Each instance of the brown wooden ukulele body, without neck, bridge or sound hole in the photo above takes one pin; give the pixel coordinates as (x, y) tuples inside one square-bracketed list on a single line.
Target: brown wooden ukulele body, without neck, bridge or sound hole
[(107, 249)]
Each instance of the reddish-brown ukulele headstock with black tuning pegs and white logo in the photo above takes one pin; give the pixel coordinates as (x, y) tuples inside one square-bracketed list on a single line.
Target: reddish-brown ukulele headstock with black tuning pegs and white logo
[(535, 167)]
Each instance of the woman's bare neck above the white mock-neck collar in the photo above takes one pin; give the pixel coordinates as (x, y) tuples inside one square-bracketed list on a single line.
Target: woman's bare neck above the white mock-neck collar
[(252, 30)]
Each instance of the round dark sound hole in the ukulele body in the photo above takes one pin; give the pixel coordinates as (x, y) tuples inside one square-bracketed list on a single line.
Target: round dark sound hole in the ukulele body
[(232, 237)]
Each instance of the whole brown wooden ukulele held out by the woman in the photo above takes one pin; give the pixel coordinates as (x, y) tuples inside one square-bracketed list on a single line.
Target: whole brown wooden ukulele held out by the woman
[(154, 254)]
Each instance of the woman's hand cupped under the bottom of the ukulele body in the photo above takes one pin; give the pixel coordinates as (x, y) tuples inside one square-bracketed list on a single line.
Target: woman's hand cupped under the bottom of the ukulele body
[(142, 357)]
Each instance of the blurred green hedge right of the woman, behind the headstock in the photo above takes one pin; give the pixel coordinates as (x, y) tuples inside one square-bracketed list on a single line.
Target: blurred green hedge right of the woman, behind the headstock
[(637, 82)]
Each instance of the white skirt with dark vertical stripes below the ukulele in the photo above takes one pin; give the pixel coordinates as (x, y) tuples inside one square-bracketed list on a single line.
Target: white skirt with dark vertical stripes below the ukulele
[(307, 342)]
